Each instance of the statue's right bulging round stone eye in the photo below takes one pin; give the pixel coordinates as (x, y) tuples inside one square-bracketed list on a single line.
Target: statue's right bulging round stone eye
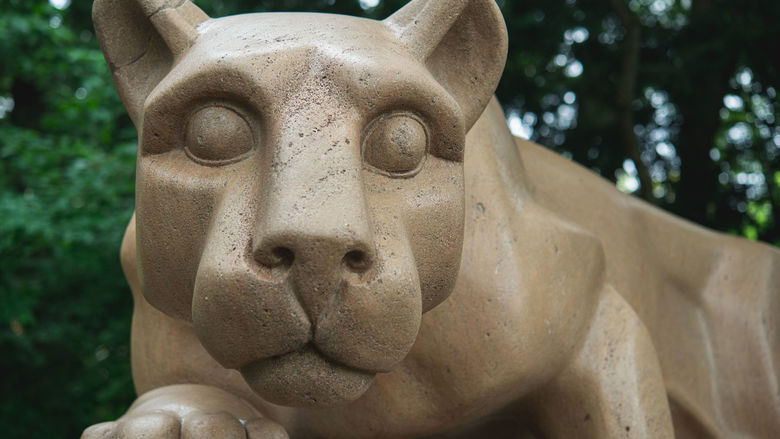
[(395, 144)]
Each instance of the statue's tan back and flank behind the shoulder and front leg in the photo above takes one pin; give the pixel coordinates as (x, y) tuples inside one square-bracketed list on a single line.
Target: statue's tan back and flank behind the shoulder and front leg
[(710, 301)]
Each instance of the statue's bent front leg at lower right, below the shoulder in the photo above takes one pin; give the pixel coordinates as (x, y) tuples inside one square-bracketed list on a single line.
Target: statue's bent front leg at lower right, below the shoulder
[(613, 388)]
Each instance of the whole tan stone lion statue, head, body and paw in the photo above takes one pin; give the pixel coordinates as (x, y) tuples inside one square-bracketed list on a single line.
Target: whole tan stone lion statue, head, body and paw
[(337, 236)]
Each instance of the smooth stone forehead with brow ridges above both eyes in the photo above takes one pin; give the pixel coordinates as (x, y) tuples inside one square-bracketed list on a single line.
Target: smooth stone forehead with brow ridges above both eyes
[(272, 61)]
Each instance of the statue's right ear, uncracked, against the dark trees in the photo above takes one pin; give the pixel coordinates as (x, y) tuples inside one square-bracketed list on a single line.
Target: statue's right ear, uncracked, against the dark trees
[(462, 42)]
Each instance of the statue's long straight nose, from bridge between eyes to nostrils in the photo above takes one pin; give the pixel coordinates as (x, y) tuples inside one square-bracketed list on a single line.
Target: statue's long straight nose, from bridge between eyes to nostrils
[(313, 222)]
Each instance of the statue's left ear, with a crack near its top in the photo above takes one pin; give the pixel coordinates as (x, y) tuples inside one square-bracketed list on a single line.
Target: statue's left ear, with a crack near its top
[(141, 39)]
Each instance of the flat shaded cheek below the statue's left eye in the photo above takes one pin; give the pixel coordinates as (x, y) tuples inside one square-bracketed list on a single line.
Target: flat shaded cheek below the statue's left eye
[(173, 213)]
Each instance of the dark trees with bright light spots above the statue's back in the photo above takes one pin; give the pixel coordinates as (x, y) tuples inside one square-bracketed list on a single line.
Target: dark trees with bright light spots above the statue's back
[(698, 101)]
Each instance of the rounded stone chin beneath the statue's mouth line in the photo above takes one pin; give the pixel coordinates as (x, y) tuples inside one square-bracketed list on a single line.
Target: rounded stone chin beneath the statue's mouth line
[(305, 378)]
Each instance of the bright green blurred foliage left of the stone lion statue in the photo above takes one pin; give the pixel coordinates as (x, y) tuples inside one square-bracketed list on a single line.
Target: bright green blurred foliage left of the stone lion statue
[(67, 158)]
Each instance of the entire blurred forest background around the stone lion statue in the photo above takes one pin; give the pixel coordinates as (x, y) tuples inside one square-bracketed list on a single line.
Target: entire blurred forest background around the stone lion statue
[(673, 100)]
